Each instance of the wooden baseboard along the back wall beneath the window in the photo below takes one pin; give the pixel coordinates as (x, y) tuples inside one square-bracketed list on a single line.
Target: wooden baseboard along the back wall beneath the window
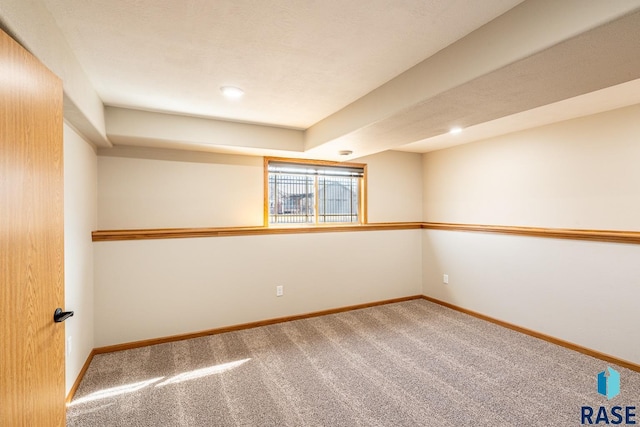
[(154, 341)]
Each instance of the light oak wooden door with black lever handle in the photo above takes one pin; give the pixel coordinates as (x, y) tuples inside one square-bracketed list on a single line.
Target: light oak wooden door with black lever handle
[(31, 241)]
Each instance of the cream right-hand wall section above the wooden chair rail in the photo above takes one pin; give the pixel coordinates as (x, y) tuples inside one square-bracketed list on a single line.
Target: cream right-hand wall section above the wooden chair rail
[(581, 173)]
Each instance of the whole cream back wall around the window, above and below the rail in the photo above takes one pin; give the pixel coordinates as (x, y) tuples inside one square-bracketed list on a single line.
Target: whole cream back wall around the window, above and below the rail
[(156, 288)]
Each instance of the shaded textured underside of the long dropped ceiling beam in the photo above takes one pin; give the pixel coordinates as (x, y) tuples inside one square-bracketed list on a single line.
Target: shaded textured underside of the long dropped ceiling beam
[(604, 57)]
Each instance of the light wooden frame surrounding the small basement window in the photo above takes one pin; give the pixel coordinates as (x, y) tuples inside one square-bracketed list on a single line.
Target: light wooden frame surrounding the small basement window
[(362, 191)]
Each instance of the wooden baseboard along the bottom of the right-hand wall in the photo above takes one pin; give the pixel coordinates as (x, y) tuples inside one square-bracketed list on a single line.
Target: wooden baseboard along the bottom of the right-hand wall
[(544, 337)]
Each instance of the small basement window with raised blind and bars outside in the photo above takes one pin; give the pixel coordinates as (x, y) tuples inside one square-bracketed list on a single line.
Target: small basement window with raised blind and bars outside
[(317, 193)]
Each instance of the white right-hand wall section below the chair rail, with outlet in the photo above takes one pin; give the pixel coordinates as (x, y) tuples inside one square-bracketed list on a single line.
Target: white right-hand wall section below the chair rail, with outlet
[(583, 292)]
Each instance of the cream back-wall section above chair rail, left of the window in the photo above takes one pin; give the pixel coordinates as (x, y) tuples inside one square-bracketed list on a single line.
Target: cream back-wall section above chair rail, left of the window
[(145, 188)]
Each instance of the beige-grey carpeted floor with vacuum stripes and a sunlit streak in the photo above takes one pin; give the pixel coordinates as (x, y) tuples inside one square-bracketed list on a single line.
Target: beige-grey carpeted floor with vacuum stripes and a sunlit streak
[(407, 364)]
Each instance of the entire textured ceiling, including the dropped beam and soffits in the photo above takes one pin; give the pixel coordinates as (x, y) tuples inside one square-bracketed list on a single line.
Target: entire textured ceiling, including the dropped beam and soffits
[(325, 76)]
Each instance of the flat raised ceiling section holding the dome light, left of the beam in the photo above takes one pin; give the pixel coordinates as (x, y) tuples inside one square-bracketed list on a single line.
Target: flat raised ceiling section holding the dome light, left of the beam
[(298, 61)]
